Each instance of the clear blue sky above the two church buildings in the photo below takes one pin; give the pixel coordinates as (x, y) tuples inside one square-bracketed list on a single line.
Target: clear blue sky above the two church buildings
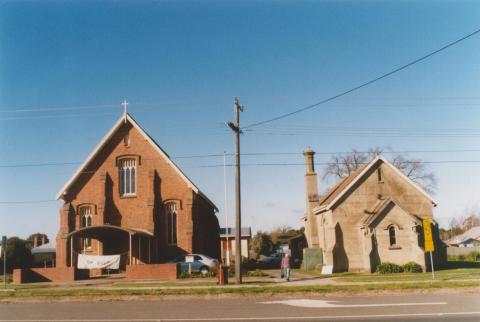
[(66, 66)]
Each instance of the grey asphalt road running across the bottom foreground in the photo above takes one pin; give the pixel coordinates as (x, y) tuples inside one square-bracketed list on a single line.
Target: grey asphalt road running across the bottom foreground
[(423, 307)]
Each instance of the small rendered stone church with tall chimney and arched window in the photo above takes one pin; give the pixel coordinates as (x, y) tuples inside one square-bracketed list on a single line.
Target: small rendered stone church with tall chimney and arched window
[(372, 216)]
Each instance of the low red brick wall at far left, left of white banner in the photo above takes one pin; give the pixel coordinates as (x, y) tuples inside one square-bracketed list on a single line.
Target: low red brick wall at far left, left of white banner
[(53, 274)]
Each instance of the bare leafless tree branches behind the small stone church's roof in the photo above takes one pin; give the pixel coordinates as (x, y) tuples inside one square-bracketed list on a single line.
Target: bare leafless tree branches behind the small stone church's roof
[(342, 165)]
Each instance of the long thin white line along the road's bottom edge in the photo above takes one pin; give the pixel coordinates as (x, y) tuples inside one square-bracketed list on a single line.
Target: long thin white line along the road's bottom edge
[(262, 318)]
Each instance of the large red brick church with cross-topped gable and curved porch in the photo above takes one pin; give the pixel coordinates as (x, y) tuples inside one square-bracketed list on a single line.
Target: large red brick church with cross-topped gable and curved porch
[(129, 198)]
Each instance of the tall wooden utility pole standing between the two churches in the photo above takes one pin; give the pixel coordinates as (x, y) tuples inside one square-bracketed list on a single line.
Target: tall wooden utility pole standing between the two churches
[(238, 211)]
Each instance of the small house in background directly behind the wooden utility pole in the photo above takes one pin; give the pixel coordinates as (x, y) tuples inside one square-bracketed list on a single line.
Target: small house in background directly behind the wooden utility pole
[(227, 240)]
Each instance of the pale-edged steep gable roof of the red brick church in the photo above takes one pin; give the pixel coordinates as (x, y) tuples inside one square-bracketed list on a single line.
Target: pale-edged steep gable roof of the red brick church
[(128, 118)]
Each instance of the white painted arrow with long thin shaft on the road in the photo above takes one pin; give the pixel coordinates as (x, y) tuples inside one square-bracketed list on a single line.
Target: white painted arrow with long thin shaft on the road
[(330, 304)]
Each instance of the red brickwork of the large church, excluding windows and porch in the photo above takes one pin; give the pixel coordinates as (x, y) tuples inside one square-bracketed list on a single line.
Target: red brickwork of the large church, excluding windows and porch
[(157, 183)]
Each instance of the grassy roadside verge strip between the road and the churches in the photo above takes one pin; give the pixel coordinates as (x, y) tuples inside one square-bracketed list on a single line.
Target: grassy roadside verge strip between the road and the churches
[(117, 287)]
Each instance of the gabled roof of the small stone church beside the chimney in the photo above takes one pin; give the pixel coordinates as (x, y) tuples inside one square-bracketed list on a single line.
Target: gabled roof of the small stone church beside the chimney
[(345, 184)]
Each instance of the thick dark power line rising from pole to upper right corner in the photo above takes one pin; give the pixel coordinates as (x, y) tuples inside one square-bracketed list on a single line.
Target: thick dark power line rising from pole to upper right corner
[(396, 70)]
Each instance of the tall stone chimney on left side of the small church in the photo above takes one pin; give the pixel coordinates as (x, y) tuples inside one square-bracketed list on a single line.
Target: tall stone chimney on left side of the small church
[(311, 184)]
